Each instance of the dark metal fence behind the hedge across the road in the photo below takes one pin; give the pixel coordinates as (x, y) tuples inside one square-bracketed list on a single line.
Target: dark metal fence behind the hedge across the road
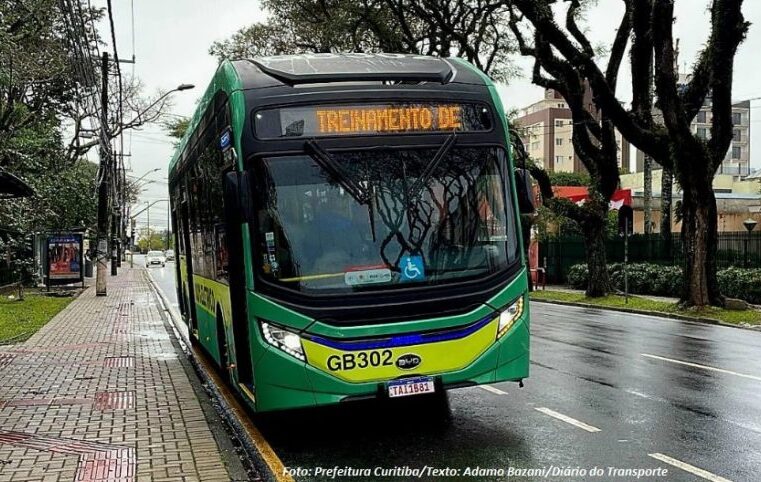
[(734, 249)]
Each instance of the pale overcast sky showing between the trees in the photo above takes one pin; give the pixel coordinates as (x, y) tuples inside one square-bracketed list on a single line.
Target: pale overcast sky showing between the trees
[(172, 39)]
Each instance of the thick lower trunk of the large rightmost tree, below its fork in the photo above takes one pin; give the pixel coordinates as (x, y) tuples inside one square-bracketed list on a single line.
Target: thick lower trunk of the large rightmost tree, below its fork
[(699, 238)]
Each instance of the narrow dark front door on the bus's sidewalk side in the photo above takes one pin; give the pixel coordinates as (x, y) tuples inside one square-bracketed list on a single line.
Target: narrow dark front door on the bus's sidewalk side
[(236, 263)]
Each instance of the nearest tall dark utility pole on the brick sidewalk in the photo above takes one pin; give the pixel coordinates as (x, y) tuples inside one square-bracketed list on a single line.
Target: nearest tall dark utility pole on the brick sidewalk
[(102, 250)]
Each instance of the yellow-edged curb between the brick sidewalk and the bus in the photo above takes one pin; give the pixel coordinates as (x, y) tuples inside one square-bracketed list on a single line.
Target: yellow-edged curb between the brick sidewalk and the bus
[(258, 451)]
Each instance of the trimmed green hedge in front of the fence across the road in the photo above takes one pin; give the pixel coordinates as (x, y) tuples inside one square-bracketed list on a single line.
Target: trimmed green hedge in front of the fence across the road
[(656, 279)]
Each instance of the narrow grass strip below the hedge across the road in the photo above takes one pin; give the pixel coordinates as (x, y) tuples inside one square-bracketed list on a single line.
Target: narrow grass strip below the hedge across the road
[(749, 317)]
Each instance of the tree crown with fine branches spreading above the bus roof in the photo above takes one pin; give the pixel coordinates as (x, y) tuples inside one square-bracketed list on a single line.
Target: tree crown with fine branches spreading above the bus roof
[(475, 31)]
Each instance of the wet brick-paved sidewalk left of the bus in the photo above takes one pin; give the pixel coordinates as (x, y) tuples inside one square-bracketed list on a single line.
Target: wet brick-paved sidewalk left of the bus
[(99, 394)]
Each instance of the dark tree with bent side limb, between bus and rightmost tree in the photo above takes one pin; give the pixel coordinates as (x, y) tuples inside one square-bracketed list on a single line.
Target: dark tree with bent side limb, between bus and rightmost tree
[(593, 135)]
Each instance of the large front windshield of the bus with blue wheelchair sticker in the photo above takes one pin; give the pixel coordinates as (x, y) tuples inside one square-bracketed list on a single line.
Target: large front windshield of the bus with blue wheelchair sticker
[(407, 221)]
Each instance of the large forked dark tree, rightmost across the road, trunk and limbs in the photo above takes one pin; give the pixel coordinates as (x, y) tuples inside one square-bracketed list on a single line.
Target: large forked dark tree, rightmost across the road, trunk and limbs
[(667, 137)]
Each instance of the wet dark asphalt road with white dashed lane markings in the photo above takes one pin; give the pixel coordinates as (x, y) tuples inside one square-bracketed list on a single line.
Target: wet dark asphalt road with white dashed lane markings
[(607, 390)]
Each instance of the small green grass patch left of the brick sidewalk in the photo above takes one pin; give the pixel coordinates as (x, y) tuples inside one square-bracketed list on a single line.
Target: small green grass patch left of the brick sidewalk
[(21, 319)]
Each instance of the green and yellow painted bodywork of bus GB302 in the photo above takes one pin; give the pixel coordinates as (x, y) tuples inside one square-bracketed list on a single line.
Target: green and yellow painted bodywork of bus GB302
[(282, 381)]
